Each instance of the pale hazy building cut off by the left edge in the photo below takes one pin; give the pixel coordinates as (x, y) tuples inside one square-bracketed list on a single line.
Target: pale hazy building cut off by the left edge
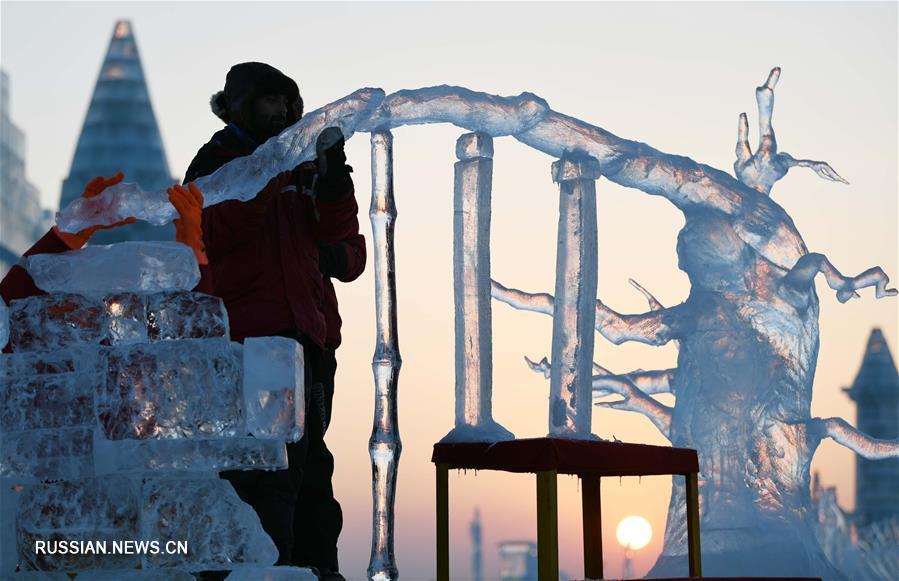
[(22, 221)]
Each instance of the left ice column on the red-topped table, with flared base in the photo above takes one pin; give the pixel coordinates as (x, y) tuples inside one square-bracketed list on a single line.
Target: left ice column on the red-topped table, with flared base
[(471, 284)]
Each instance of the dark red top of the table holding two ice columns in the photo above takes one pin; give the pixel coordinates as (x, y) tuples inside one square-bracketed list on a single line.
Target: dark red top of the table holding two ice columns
[(568, 456)]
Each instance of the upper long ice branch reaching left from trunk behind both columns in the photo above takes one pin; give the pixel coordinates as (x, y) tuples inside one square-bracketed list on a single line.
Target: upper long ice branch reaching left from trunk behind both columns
[(650, 328)]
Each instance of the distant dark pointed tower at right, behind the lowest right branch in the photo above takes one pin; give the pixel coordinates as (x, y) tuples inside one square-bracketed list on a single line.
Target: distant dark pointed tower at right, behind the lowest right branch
[(876, 394)]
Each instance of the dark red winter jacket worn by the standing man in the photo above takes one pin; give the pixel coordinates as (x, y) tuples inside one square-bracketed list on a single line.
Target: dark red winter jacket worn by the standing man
[(273, 268)]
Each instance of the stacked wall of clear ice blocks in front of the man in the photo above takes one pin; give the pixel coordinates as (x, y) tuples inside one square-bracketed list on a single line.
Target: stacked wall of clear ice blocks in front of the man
[(118, 409)]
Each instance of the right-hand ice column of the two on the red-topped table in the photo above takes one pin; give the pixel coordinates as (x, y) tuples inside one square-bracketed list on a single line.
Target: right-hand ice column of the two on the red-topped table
[(574, 312)]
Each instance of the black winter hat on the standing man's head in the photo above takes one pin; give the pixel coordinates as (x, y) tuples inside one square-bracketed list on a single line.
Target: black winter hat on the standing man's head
[(247, 81)]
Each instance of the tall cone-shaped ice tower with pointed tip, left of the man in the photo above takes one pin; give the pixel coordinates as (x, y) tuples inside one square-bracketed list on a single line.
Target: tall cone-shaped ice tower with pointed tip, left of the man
[(120, 134)]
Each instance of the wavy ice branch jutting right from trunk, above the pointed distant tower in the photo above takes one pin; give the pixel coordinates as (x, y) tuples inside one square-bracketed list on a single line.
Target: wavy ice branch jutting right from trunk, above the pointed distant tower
[(800, 278)]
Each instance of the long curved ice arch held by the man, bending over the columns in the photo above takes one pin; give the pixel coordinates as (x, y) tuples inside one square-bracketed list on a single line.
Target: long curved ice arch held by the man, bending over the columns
[(763, 224)]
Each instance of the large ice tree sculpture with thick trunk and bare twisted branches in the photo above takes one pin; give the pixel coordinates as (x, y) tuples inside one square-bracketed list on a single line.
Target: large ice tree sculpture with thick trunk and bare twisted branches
[(748, 343)]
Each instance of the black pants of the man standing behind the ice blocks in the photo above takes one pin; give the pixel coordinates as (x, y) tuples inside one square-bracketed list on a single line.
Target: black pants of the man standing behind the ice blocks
[(296, 506)]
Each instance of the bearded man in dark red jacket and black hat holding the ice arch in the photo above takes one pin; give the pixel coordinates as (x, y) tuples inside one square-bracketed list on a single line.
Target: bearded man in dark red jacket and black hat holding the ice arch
[(272, 259)]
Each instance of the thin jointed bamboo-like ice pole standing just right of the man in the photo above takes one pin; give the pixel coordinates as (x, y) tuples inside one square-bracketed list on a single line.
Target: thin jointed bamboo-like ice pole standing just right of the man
[(384, 446)]
